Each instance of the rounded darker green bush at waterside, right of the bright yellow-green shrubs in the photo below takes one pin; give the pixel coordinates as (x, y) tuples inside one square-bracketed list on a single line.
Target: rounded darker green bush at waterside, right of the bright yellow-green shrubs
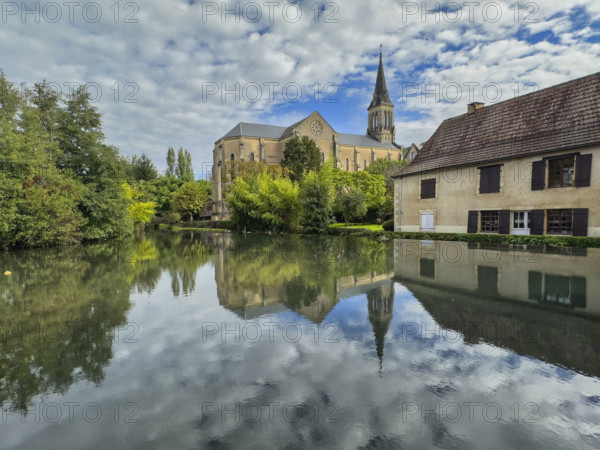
[(316, 201)]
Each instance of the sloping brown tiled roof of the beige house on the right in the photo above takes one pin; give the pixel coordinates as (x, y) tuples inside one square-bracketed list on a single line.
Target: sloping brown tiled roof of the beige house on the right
[(558, 118)]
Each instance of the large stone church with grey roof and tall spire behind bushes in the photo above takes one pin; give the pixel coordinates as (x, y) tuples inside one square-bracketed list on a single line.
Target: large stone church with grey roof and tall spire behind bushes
[(351, 152)]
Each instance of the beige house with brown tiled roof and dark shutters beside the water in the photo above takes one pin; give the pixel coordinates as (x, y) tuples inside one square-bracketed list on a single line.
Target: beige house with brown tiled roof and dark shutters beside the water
[(523, 166)]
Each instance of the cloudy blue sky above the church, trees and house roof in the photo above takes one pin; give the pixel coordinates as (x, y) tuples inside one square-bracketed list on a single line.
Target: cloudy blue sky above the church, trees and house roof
[(183, 73)]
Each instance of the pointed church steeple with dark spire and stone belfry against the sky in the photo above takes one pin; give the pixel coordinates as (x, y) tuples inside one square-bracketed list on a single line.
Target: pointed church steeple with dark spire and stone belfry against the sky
[(381, 109)]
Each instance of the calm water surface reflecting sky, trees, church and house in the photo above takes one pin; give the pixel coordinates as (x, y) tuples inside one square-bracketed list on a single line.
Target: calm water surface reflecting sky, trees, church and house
[(216, 340)]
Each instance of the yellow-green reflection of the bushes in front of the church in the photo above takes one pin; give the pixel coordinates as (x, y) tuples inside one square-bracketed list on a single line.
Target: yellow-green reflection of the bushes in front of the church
[(295, 270)]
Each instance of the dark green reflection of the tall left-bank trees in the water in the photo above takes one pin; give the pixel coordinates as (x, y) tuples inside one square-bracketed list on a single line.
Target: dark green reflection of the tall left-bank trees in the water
[(58, 310)]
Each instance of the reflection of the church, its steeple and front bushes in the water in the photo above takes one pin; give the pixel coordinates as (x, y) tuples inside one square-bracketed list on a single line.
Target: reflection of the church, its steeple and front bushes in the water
[(309, 276)]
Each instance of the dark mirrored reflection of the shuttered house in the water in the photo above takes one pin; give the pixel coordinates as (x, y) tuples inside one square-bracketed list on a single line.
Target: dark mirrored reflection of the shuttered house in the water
[(539, 304)]
